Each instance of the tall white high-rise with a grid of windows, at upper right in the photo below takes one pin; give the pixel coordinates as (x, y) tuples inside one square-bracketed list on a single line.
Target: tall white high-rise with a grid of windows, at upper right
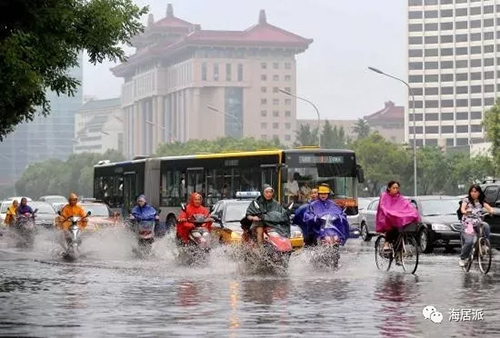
[(453, 69)]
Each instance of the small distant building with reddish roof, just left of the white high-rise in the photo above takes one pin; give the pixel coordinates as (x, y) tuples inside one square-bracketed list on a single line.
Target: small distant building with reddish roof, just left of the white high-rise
[(388, 122)]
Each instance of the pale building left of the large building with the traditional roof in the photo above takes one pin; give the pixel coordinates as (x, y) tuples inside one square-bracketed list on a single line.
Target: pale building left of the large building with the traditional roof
[(99, 126)]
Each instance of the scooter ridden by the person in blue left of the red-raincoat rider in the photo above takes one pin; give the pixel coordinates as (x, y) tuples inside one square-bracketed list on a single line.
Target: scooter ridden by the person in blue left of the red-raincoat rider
[(144, 228)]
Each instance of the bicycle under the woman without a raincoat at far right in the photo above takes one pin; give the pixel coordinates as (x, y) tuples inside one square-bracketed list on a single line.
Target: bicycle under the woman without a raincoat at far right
[(480, 242)]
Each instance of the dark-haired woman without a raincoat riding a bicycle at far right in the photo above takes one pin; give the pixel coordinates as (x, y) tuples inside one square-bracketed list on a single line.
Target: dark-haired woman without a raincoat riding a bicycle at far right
[(471, 207)]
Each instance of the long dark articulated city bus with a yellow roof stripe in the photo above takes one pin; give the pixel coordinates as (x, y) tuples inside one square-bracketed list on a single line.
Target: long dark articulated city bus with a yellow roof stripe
[(169, 181)]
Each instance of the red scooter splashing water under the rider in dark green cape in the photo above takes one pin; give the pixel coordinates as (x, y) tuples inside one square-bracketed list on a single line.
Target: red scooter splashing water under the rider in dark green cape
[(277, 247)]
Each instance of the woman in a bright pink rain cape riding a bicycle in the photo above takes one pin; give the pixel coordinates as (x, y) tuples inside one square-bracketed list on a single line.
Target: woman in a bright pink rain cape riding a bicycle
[(394, 212)]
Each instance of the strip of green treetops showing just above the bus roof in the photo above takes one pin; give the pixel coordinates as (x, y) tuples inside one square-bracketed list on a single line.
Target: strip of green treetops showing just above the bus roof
[(223, 144)]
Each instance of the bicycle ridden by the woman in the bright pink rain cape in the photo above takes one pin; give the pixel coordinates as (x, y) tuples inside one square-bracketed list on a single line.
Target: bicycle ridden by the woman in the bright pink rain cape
[(404, 250)]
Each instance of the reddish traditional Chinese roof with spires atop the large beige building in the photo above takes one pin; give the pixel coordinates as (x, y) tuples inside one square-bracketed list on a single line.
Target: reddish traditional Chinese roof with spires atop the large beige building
[(262, 34)]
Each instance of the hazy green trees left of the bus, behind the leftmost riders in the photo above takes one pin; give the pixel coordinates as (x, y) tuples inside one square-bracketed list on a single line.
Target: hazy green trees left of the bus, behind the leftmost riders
[(55, 177)]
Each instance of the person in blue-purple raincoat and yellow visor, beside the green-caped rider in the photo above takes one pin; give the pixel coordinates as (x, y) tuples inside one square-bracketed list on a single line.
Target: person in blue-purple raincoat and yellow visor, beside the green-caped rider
[(323, 205)]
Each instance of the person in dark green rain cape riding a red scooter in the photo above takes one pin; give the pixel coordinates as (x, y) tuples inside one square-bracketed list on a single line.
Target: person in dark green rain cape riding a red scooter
[(274, 215)]
